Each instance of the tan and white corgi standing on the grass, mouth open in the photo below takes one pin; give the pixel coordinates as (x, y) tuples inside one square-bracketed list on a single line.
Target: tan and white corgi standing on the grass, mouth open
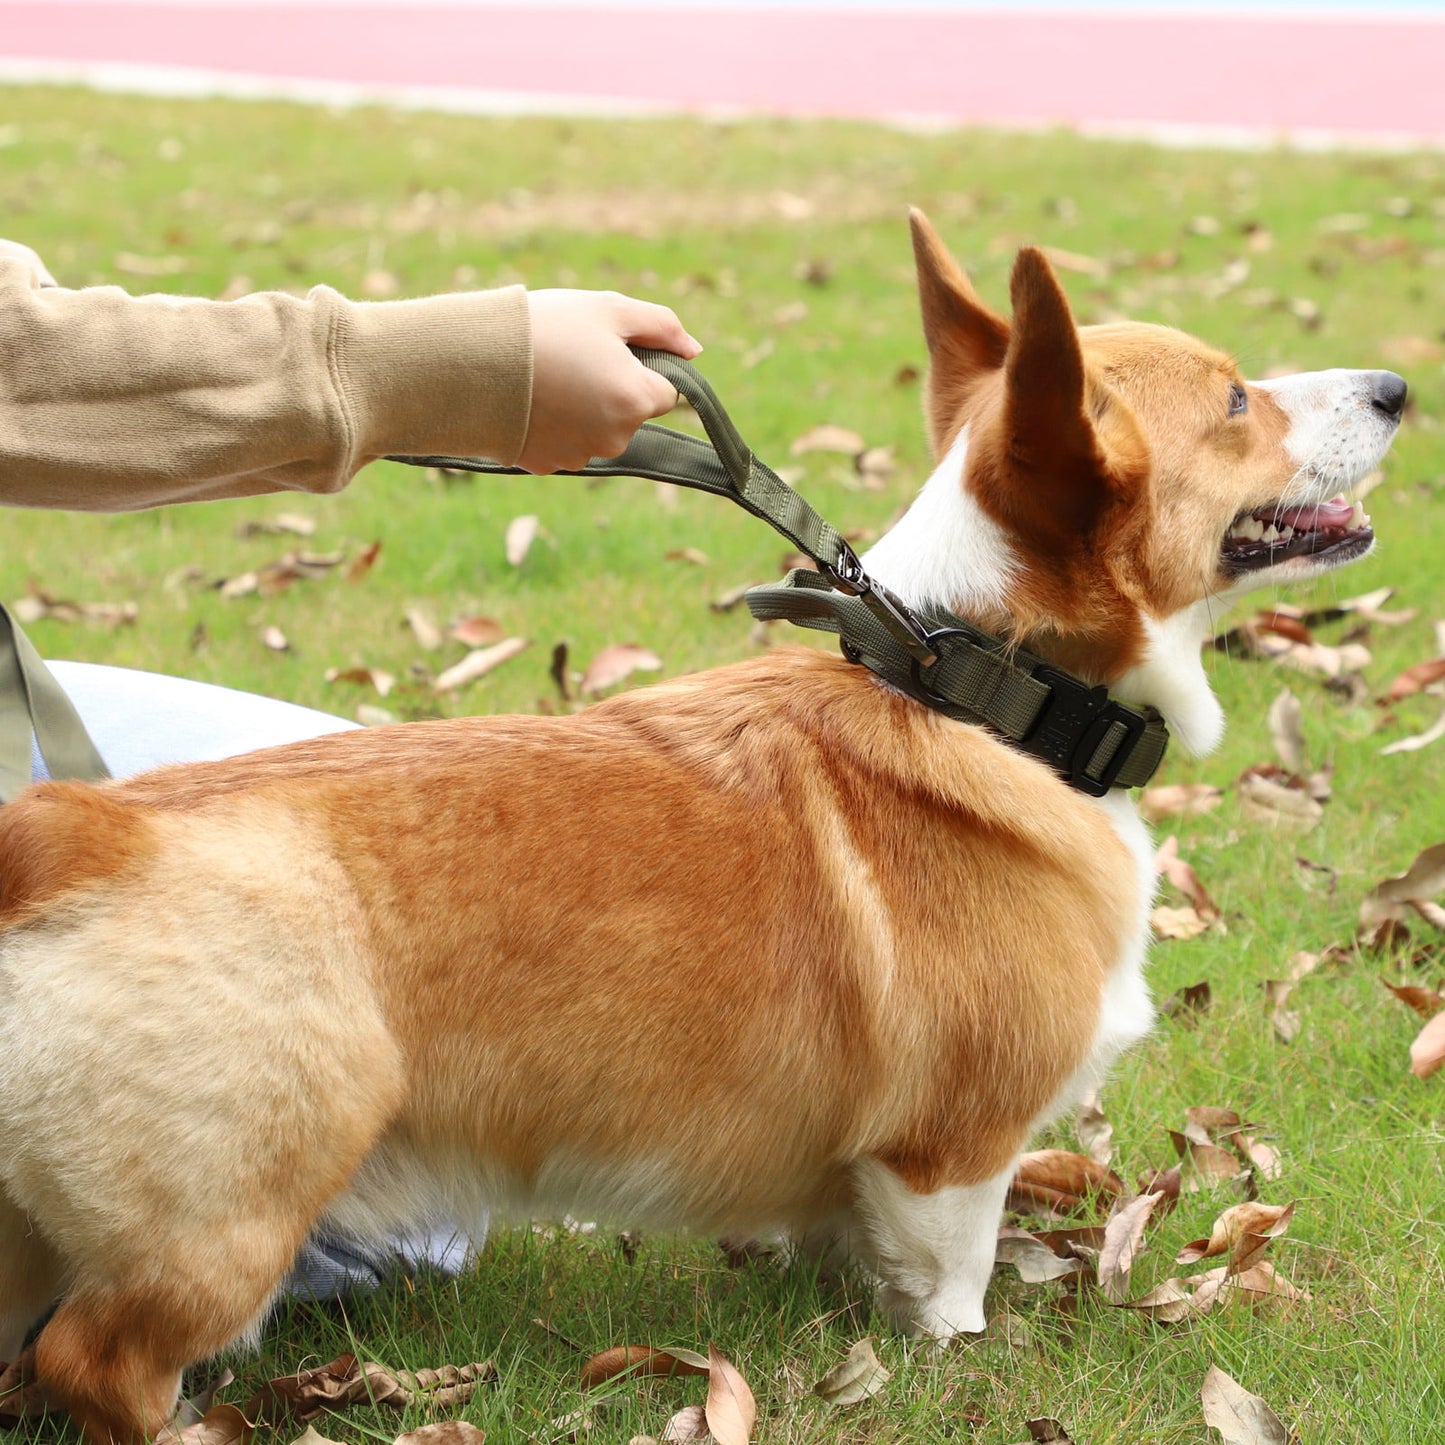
[(767, 949)]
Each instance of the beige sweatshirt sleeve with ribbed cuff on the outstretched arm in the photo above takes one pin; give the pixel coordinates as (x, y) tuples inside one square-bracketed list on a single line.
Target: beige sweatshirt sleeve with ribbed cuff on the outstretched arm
[(112, 402)]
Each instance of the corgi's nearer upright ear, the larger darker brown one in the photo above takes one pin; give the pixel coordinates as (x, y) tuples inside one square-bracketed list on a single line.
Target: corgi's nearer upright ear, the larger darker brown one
[(1073, 449)]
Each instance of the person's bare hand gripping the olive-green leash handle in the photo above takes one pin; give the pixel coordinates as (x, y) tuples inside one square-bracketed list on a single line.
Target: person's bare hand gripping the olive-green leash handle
[(589, 392)]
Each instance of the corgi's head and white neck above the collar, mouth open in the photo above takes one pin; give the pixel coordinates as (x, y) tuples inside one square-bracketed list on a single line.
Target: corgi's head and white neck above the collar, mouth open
[(1113, 485)]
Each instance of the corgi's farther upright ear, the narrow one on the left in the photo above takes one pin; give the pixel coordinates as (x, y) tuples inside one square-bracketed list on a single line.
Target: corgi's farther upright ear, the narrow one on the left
[(965, 337)]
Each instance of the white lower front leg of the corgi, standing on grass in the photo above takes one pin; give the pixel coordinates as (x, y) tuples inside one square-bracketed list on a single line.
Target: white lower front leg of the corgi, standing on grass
[(934, 1252)]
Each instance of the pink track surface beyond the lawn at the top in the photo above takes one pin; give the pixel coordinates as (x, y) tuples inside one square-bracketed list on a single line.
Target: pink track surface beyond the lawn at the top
[(1339, 74)]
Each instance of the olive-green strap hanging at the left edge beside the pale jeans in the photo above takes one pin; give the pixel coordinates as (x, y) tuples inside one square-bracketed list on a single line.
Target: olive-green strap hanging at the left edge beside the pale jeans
[(34, 706)]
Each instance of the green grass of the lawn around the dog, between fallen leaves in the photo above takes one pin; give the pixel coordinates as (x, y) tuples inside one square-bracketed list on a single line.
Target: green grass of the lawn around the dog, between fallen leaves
[(733, 225)]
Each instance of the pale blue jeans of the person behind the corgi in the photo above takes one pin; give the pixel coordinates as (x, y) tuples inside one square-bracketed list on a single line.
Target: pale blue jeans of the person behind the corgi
[(141, 720)]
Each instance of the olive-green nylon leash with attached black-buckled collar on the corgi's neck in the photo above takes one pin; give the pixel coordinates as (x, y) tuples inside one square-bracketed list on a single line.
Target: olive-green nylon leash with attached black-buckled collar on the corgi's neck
[(943, 661)]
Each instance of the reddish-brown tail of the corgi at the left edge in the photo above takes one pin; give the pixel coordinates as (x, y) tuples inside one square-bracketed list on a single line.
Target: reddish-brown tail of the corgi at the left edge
[(59, 837)]
